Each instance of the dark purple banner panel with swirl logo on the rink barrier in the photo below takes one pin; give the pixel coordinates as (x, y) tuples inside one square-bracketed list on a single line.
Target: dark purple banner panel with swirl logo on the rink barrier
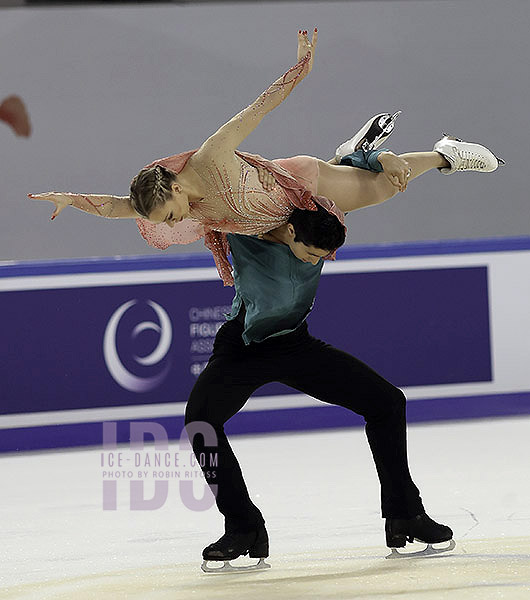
[(420, 327)]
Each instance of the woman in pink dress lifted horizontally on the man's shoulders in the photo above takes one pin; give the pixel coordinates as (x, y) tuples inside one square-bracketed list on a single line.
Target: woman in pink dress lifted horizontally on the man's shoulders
[(217, 189)]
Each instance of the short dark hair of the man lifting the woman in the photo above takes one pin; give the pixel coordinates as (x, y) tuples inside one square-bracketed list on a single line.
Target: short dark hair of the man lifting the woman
[(317, 228)]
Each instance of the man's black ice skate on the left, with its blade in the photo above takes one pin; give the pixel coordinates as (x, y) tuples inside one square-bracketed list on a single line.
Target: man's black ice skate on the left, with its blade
[(234, 544)]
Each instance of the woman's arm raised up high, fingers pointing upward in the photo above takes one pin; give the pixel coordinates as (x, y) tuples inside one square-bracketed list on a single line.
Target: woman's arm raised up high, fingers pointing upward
[(231, 134)]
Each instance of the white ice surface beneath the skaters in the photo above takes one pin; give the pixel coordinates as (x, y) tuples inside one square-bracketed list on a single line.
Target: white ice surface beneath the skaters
[(327, 538)]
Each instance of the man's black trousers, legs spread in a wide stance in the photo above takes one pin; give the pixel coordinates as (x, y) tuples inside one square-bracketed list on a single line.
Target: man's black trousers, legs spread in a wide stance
[(313, 367)]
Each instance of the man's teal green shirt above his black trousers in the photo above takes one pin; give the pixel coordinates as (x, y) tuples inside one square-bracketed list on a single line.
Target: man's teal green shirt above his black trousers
[(277, 288)]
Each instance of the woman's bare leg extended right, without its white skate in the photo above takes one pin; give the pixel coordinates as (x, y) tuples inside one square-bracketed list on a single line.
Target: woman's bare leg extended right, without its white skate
[(352, 188)]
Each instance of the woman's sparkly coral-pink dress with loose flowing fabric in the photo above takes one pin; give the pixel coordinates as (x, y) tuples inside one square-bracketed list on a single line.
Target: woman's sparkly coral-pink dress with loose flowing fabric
[(249, 210)]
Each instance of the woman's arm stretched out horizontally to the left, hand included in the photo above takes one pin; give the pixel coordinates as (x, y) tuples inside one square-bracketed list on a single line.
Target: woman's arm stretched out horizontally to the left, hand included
[(112, 207)]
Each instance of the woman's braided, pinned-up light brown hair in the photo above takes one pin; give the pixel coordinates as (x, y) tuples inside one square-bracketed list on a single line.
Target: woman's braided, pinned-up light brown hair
[(151, 188)]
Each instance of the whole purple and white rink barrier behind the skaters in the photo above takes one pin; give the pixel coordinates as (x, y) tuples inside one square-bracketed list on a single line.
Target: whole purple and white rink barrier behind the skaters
[(463, 288)]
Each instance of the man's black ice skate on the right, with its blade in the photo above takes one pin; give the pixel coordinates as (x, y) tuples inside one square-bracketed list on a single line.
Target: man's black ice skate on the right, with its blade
[(422, 529)]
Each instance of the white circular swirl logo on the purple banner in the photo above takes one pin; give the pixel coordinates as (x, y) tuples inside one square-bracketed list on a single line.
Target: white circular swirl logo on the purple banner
[(122, 376)]
